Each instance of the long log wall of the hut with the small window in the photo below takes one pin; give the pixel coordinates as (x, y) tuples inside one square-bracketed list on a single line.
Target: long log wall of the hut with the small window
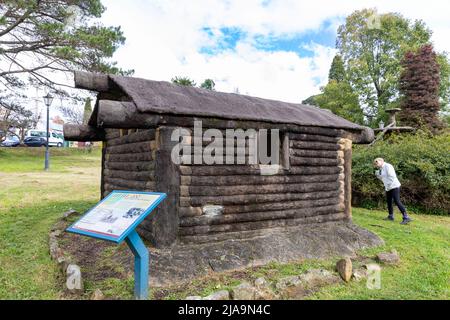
[(311, 189)]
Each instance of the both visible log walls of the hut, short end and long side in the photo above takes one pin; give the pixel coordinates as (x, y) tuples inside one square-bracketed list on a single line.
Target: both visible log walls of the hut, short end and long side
[(314, 188)]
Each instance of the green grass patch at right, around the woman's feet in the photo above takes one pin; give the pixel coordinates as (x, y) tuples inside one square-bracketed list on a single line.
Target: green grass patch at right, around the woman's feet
[(424, 271)]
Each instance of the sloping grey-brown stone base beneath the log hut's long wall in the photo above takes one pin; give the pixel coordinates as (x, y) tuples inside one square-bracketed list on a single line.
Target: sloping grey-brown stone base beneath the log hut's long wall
[(185, 262)]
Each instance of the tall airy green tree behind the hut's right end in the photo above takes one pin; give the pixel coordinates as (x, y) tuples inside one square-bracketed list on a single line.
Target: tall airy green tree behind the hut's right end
[(372, 46)]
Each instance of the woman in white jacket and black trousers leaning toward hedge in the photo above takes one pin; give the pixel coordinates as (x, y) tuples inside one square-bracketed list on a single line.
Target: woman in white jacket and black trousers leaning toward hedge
[(386, 173)]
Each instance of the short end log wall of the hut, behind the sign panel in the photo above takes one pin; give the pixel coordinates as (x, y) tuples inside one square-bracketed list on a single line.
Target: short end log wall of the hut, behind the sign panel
[(128, 161)]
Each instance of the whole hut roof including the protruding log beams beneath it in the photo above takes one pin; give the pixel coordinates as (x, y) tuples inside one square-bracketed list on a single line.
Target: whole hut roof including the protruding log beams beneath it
[(127, 103)]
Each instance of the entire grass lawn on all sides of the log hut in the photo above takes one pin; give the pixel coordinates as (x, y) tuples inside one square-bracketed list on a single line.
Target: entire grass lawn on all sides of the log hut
[(31, 200)]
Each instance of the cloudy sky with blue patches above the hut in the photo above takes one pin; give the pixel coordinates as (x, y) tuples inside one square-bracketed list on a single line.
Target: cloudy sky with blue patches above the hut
[(276, 49)]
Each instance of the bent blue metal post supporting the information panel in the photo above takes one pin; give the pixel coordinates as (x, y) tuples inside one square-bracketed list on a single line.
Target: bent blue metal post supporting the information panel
[(141, 263)]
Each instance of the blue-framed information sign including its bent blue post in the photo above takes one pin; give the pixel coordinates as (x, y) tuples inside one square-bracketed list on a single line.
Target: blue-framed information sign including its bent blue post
[(115, 219)]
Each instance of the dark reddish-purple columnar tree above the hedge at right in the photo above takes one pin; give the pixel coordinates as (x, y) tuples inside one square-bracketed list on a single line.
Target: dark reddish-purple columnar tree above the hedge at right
[(419, 85)]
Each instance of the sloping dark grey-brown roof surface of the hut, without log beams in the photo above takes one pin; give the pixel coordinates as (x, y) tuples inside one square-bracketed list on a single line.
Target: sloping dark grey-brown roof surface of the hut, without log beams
[(167, 98)]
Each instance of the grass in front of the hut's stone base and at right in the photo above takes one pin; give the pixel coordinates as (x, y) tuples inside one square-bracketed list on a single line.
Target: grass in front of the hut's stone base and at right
[(423, 273)]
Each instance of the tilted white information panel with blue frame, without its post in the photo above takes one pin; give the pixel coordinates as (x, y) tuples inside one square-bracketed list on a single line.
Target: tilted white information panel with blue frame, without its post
[(117, 215)]
